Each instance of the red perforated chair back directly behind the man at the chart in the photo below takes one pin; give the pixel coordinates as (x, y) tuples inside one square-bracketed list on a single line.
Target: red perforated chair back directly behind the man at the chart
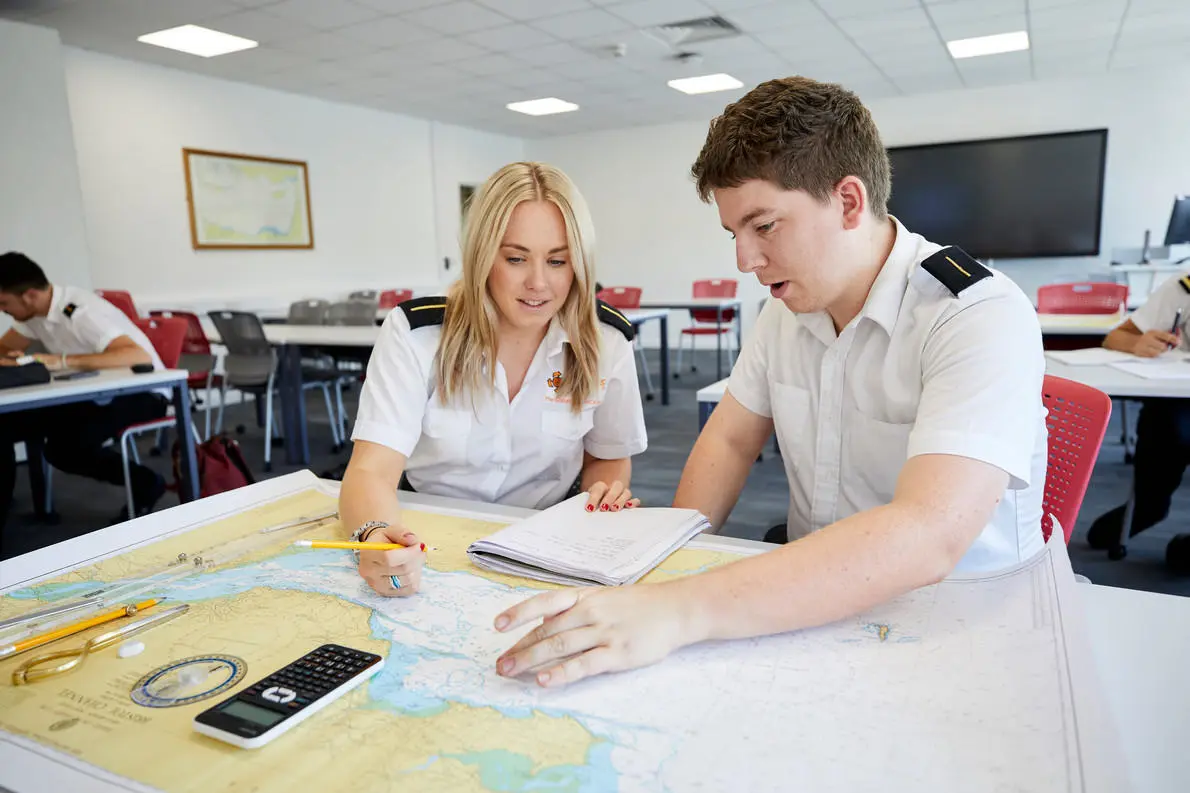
[(1078, 417)]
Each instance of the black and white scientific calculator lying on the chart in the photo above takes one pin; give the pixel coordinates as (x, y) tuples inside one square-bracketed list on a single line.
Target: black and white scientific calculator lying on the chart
[(280, 702)]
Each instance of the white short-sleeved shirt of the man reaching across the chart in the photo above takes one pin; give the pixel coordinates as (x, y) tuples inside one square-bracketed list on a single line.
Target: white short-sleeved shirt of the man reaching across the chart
[(919, 371)]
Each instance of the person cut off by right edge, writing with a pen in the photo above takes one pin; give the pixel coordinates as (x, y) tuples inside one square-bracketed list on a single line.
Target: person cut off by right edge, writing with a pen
[(1163, 430)]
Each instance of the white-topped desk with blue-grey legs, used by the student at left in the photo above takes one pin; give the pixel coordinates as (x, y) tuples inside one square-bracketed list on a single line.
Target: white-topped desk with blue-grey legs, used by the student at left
[(103, 388)]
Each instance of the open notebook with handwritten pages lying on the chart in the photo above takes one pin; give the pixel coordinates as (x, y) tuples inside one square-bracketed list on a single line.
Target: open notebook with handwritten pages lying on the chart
[(567, 545)]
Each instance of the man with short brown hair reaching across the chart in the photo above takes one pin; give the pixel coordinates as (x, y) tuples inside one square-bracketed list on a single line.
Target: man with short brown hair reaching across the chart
[(904, 382)]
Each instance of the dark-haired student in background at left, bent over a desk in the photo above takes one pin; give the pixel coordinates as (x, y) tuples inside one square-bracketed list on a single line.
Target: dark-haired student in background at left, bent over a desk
[(79, 330)]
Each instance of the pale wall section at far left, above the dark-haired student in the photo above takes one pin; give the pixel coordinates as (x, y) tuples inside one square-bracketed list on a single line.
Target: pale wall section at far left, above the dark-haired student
[(41, 204)]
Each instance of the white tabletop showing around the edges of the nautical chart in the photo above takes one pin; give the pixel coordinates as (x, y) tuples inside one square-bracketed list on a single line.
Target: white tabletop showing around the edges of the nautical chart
[(1129, 632)]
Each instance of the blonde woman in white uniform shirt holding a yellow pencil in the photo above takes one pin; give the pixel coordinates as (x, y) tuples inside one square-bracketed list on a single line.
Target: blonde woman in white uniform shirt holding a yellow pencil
[(517, 389)]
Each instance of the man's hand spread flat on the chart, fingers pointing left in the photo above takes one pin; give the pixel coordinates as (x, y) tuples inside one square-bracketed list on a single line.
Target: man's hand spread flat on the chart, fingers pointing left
[(592, 632)]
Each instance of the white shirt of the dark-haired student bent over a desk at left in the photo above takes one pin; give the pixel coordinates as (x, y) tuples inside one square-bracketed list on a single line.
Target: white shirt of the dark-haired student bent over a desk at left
[(83, 323)]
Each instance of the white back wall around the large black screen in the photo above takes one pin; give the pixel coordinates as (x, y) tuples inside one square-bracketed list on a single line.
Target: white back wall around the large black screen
[(654, 232)]
